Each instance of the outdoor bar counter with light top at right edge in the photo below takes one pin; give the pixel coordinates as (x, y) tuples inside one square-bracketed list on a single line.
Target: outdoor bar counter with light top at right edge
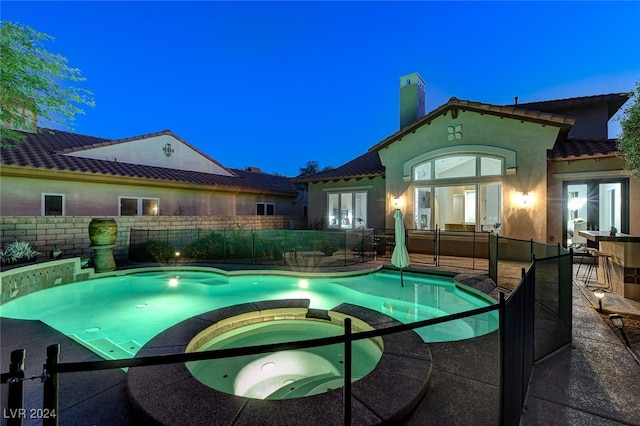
[(625, 260)]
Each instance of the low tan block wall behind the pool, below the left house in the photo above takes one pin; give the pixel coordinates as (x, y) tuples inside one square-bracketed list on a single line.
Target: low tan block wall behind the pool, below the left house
[(70, 233)]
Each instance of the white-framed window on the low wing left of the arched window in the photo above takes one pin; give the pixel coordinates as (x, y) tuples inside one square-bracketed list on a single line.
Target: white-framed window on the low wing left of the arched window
[(347, 210)]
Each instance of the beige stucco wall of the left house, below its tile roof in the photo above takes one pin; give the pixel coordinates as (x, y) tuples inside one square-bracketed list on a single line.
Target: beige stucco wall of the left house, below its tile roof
[(82, 198)]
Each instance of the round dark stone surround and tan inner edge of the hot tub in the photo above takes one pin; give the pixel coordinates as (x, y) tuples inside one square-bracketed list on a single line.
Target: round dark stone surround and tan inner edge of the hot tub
[(163, 394)]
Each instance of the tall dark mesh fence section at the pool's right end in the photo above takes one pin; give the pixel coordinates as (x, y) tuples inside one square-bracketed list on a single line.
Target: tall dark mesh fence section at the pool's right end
[(537, 318)]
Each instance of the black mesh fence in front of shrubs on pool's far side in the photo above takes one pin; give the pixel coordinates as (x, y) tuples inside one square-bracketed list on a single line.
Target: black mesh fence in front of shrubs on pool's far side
[(254, 247)]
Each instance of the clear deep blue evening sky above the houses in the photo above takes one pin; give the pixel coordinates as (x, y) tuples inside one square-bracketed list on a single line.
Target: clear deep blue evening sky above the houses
[(277, 84)]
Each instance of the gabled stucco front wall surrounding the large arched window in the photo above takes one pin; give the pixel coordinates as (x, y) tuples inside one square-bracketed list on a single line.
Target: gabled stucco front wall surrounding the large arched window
[(530, 141)]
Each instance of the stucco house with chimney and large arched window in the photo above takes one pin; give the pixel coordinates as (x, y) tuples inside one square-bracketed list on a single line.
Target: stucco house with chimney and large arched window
[(525, 170)]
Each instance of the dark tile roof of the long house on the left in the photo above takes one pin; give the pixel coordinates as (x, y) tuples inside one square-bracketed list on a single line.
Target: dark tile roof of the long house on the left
[(47, 148)]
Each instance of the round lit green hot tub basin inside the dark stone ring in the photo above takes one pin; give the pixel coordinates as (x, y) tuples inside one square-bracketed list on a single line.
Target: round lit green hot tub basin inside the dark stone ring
[(283, 374)]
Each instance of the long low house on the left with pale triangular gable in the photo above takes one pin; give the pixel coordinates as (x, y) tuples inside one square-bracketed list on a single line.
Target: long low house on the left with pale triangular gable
[(58, 173)]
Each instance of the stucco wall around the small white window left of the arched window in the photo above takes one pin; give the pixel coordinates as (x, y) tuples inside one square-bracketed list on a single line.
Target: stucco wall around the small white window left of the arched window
[(375, 188)]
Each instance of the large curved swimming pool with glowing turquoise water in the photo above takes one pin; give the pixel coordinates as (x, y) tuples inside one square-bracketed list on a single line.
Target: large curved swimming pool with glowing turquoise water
[(115, 316)]
